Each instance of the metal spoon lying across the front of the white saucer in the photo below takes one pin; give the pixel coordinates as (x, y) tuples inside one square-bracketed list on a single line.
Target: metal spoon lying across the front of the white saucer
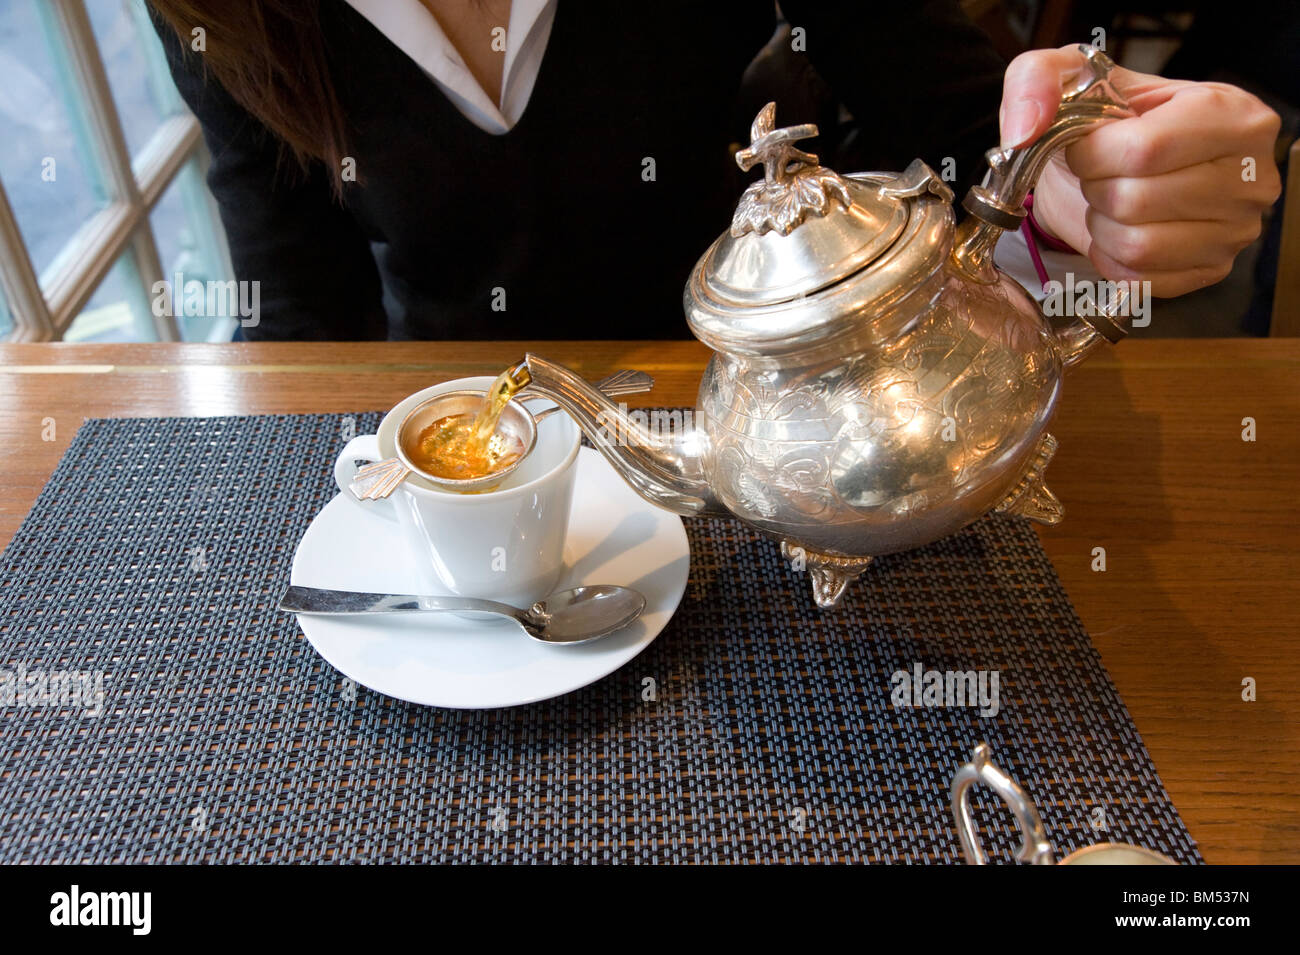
[(566, 617)]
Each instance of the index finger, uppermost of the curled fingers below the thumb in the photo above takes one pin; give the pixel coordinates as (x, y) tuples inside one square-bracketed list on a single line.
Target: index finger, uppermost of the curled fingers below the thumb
[(1198, 124)]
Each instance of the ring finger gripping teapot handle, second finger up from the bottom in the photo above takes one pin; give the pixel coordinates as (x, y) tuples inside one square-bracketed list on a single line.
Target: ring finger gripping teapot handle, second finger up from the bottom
[(1169, 246)]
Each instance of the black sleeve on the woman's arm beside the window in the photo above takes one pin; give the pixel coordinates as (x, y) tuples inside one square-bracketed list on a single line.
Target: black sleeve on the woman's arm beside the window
[(287, 231)]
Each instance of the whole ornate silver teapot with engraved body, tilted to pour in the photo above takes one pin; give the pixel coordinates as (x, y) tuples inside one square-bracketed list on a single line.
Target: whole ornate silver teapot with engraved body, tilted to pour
[(877, 384)]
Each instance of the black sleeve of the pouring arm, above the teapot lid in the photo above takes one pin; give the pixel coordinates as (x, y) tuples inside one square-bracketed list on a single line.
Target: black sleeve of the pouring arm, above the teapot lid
[(918, 76)]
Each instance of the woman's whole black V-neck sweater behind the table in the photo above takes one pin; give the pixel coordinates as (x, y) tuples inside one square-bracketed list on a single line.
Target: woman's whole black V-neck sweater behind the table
[(557, 219)]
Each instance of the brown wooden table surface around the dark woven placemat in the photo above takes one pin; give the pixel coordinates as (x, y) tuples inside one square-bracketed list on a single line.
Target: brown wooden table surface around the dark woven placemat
[(1199, 527)]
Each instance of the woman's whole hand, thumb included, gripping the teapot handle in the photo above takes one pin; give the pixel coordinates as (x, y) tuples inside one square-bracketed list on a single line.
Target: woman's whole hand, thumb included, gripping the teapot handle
[(1171, 196)]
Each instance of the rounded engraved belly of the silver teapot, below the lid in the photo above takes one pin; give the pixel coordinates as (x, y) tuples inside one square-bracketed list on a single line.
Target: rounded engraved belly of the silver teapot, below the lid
[(787, 441)]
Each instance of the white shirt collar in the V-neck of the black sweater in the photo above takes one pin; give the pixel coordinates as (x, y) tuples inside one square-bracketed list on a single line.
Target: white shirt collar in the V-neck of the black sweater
[(410, 27)]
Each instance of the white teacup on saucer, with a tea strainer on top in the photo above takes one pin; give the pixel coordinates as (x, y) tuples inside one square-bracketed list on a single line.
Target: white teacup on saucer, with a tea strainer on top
[(504, 545)]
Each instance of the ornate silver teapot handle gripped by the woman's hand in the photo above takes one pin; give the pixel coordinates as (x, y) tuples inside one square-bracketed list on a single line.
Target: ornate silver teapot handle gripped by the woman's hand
[(998, 205)]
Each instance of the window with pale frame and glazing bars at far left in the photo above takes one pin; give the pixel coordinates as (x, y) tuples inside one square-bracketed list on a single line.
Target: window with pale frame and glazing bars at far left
[(102, 194)]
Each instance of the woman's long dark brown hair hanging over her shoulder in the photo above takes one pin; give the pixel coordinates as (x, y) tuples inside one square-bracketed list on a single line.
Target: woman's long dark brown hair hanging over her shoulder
[(270, 55)]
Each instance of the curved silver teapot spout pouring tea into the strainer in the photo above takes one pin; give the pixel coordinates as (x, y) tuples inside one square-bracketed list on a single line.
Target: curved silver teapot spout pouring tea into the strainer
[(666, 470)]
